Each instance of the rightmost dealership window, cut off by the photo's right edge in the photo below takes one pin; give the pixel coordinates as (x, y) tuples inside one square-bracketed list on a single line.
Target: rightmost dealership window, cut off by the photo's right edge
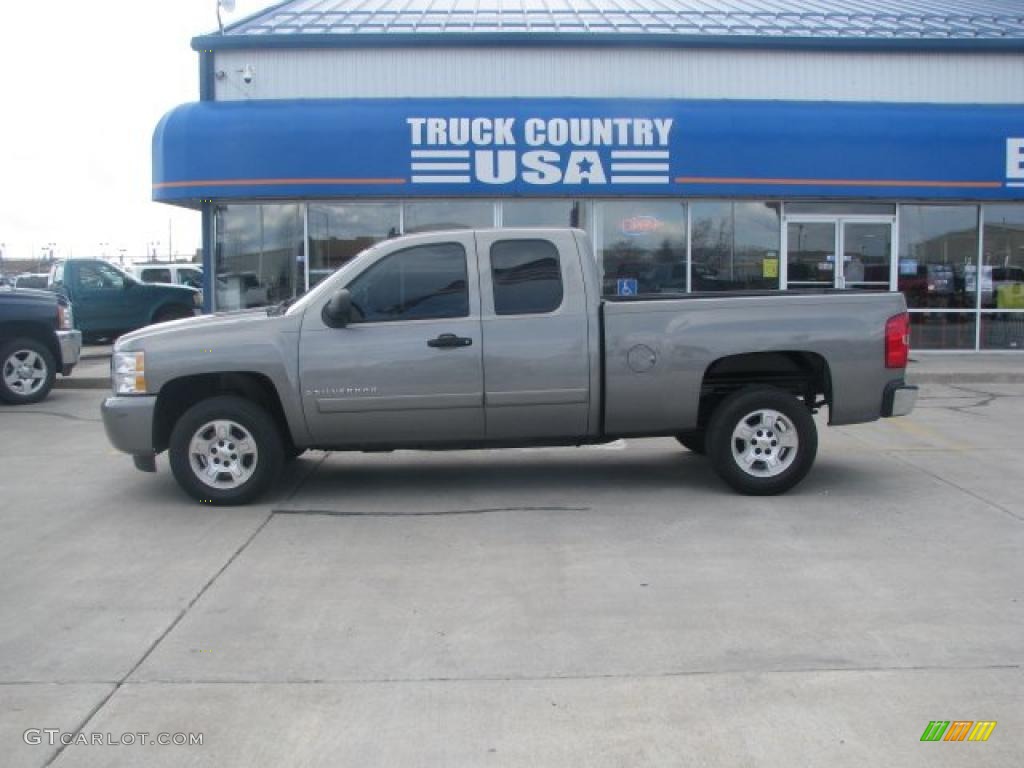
[(1003, 278)]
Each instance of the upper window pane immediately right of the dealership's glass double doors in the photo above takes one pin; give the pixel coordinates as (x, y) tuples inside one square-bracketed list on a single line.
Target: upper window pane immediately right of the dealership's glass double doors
[(938, 257)]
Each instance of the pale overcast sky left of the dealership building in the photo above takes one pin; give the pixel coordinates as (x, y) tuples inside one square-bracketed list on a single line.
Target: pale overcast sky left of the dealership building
[(83, 84)]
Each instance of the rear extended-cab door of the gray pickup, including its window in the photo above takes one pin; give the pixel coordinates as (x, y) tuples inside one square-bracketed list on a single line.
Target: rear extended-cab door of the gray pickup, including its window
[(536, 340)]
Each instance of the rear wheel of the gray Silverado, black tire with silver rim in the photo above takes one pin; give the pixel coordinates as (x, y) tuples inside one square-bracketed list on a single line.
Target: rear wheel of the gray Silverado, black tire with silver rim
[(769, 442)]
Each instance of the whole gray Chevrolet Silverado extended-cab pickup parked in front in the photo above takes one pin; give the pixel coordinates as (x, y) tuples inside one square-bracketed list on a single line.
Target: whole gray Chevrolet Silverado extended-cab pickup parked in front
[(502, 338)]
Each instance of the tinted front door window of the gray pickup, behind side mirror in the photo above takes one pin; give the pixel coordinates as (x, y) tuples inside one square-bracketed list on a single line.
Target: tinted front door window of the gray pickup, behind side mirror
[(420, 283)]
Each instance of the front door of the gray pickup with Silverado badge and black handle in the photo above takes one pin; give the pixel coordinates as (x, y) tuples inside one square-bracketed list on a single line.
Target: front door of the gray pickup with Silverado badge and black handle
[(409, 369)]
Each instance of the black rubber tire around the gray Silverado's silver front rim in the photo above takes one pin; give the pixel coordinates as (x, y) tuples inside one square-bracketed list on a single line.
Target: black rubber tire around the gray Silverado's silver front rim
[(265, 468)]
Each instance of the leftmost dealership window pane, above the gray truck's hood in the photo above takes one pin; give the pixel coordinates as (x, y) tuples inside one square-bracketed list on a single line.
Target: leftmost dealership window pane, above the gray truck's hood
[(259, 254)]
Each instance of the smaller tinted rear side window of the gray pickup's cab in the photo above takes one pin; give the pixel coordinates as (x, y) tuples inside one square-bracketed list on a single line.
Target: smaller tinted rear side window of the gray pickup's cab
[(527, 277)]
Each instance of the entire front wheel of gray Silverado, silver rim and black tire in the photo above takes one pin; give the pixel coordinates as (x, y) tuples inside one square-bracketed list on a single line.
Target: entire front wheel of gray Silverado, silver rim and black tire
[(226, 451)]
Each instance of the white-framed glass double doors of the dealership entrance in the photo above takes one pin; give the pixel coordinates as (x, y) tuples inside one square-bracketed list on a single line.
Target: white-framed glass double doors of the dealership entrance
[(839, 252)]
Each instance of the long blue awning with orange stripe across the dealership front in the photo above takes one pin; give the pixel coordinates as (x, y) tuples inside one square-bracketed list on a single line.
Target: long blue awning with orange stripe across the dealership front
[(587, 148)]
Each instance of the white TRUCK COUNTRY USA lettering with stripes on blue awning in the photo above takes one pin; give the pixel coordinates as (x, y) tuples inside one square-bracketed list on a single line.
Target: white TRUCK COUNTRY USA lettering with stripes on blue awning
[(577, 151)]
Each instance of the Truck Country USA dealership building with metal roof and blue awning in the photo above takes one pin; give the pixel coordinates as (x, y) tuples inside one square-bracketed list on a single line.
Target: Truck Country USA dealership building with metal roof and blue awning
[(866, 145)]
